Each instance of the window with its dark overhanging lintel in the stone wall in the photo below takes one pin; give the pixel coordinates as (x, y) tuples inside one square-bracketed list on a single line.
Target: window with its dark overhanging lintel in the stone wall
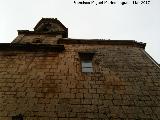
[(86, 61)]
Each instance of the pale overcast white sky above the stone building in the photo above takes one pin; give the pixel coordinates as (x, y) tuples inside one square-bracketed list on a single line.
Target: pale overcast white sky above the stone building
[(130, 21)]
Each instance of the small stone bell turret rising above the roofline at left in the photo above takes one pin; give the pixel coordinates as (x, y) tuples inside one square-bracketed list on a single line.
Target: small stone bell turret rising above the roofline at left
[(47, 31)]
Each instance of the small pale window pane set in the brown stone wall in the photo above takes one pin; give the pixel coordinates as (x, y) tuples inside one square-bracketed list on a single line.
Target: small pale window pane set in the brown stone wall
[(87, 66)]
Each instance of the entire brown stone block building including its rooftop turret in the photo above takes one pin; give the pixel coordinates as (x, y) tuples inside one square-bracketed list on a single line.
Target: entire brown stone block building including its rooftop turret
[(44, 75)]
